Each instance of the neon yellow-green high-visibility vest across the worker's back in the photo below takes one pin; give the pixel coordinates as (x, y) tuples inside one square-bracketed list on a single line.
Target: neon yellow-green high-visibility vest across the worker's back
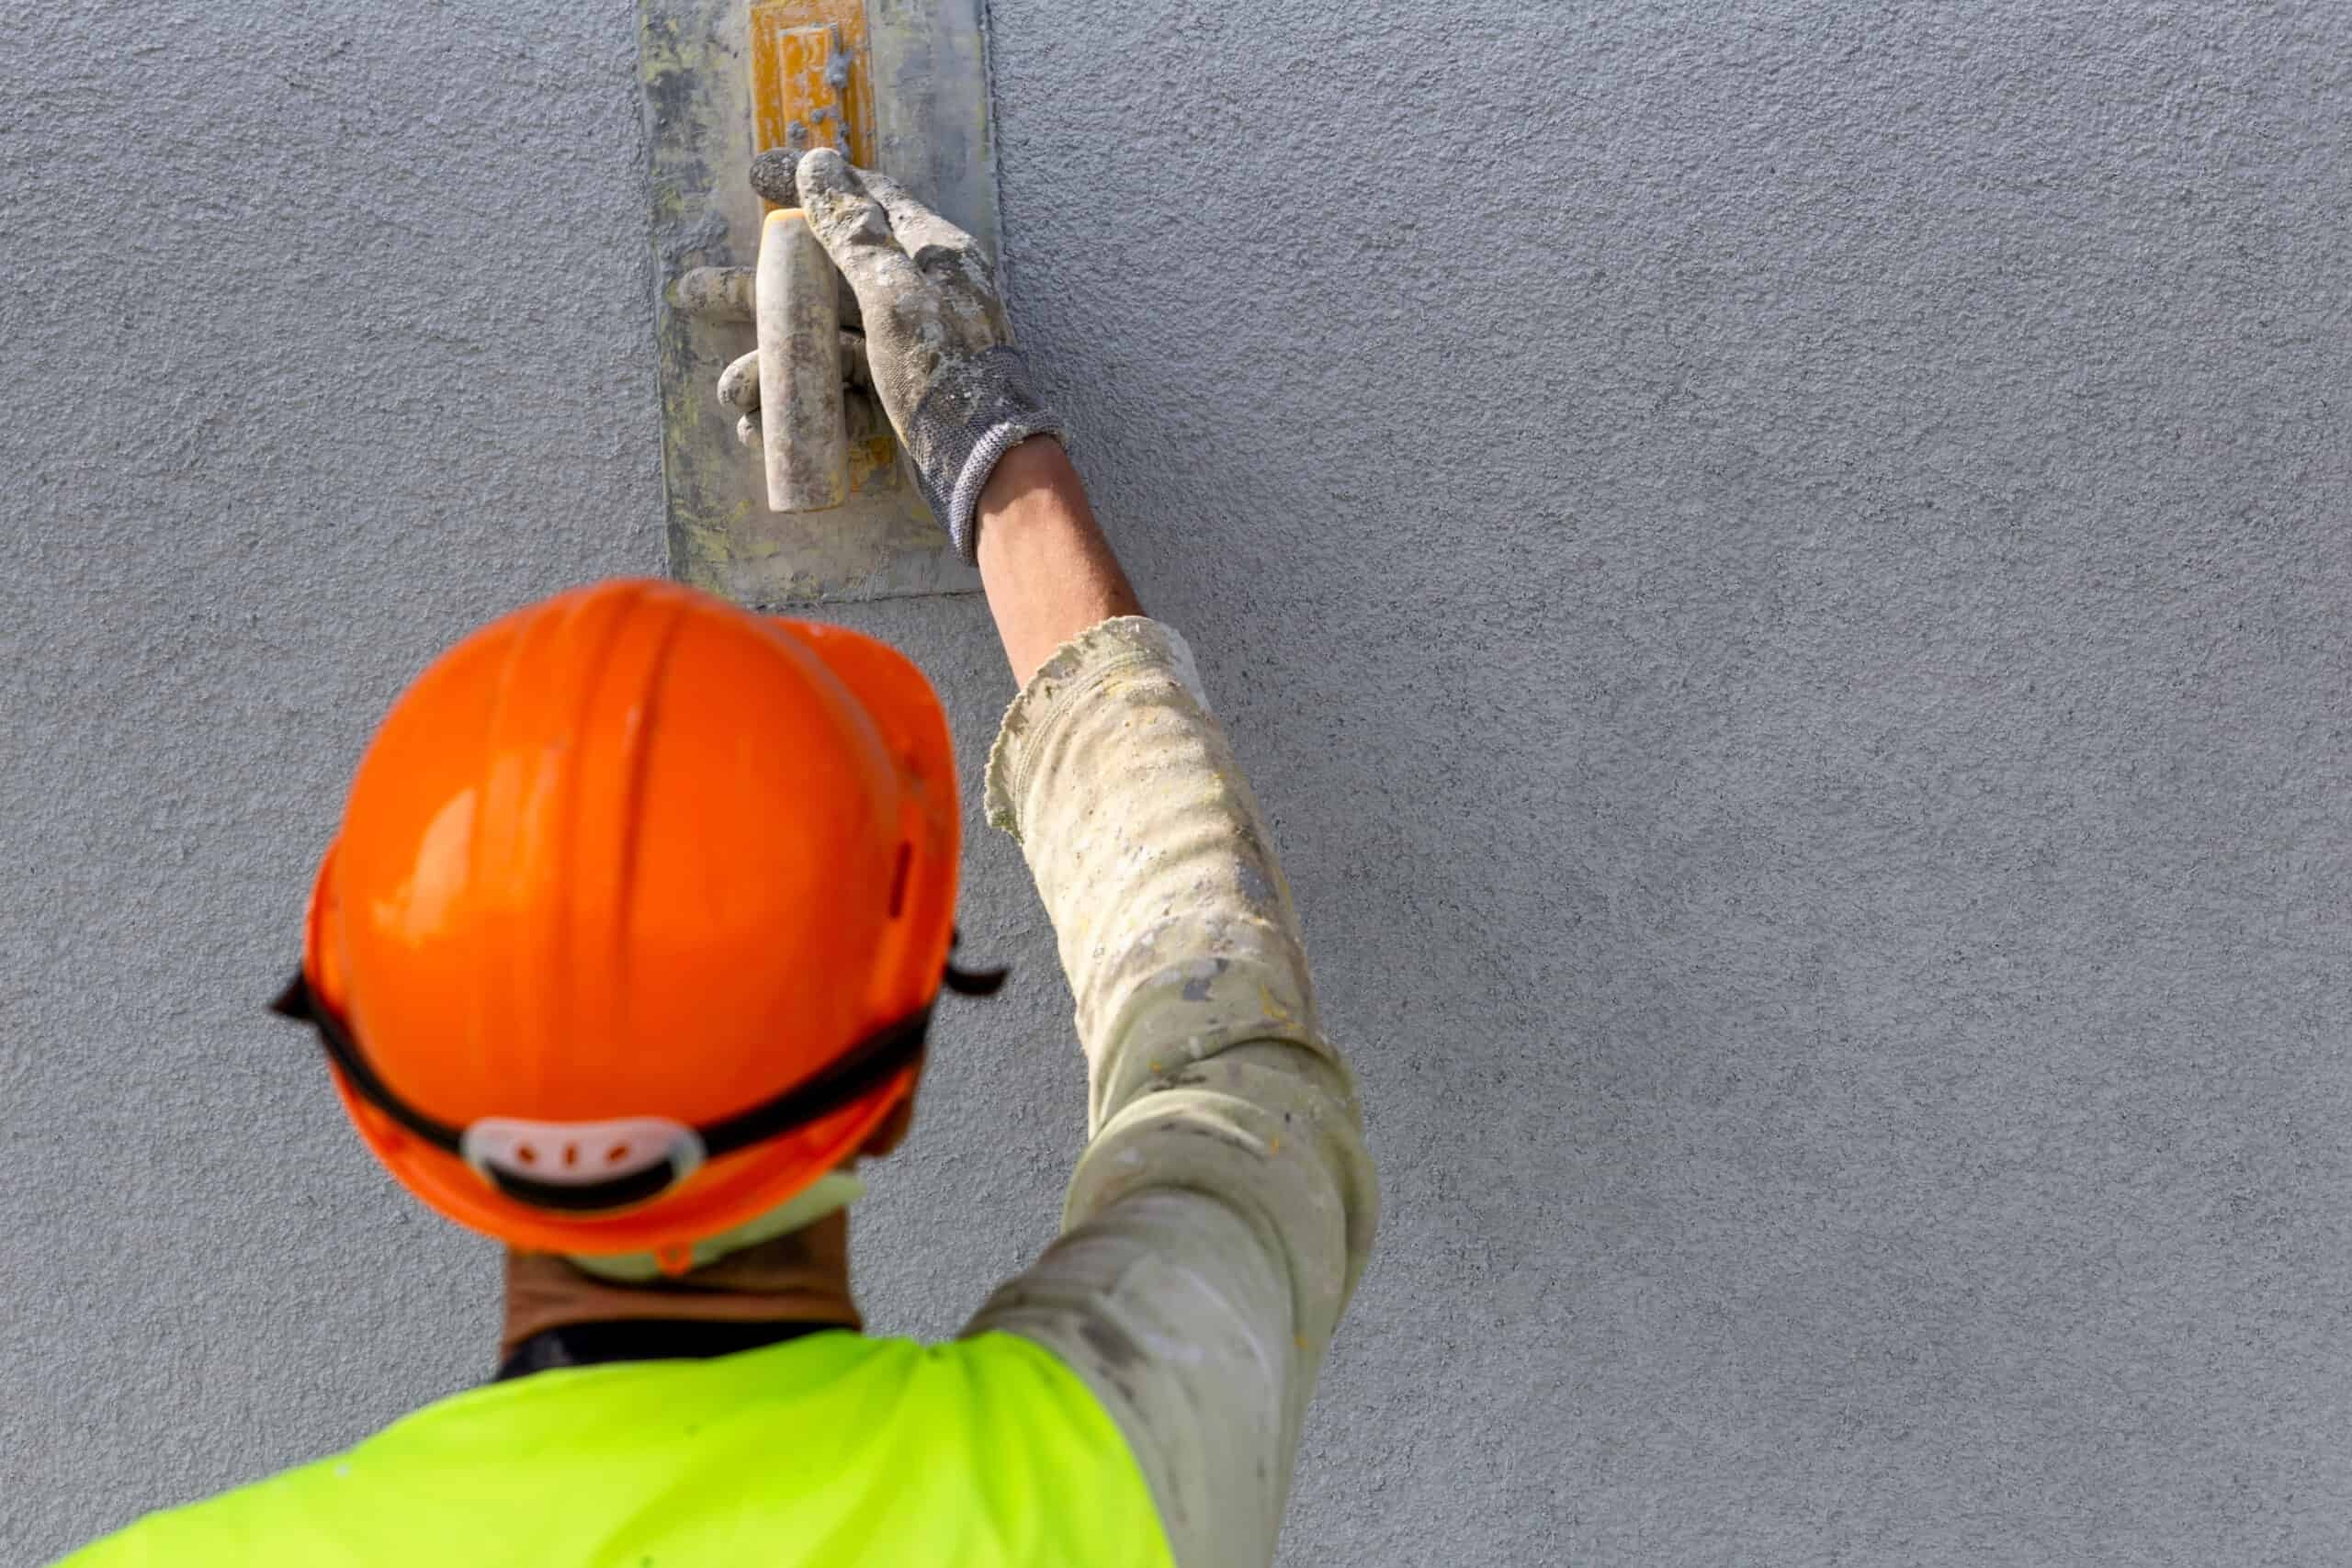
[(829, 1449)]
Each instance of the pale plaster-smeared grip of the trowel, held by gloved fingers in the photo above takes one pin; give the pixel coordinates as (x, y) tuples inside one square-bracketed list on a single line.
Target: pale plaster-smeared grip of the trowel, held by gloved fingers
[(799, 316)]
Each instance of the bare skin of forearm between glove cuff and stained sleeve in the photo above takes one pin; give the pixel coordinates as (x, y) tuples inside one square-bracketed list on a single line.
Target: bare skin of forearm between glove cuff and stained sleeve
[(1045, 563)]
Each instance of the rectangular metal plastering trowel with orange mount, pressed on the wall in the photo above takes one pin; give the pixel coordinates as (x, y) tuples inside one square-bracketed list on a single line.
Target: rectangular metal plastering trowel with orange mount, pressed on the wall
[(902, 86)]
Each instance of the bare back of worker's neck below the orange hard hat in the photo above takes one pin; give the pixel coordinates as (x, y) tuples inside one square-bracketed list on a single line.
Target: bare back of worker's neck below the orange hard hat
[(801, 1278)]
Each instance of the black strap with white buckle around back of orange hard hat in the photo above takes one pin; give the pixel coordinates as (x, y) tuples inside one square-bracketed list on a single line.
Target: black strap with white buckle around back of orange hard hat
[(589, 1167)]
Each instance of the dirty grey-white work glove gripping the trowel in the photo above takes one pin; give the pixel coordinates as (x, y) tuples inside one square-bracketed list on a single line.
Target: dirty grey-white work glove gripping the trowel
[(937, 349)]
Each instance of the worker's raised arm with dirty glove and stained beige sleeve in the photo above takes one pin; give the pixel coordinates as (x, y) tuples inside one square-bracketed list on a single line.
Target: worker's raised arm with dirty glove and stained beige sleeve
[(1224, 1205)]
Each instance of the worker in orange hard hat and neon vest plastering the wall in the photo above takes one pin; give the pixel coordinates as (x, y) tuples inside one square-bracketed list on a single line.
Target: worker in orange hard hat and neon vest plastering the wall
[(627, 951)]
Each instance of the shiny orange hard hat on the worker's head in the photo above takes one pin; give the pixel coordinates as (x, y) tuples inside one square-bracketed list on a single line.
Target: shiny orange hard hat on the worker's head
[(636, 918)]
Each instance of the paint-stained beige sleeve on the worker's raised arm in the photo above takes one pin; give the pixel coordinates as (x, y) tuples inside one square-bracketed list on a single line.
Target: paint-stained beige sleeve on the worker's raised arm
[(1224, 1205)]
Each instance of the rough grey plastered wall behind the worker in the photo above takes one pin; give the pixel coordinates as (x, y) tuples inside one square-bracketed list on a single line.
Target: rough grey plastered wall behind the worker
[(1782, 572)]
